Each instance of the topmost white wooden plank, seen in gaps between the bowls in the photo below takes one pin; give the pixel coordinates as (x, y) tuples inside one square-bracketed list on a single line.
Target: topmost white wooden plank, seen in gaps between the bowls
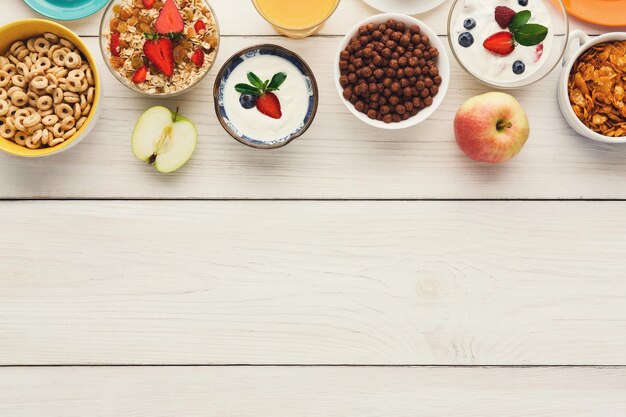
[(239, 17)]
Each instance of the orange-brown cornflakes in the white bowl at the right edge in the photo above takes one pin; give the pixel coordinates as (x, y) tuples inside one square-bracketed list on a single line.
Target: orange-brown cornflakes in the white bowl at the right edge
[(597, 86)]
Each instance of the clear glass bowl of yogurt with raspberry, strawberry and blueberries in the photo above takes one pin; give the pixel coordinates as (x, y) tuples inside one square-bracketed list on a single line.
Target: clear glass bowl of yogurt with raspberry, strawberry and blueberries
[(508, 43)]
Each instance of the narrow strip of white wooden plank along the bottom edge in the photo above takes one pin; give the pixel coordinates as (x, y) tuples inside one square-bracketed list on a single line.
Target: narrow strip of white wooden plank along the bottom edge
[(314, 392)]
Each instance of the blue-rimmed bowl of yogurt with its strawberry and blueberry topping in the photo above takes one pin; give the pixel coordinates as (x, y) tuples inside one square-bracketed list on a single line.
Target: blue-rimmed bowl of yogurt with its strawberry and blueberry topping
[(265, 96)]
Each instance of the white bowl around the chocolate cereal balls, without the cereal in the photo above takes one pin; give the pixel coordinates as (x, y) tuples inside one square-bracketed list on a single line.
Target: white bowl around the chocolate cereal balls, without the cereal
[(443, 64)]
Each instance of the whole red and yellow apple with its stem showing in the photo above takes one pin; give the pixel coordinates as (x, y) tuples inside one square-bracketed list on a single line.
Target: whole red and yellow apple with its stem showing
[(491, 127)]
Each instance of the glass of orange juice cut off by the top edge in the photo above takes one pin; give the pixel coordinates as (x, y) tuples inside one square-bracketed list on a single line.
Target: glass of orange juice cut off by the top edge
[(296, 18)]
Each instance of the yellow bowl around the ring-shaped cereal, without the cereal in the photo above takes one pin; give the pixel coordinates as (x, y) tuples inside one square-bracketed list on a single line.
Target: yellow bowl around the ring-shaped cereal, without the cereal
[(25, 29)]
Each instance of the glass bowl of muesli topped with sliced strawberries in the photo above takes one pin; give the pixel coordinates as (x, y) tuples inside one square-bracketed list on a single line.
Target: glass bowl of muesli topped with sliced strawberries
[(159, 47)]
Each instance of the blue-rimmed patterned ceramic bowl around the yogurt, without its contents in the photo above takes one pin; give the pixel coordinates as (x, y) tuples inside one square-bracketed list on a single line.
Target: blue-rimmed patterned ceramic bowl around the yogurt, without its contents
[(237, 59)]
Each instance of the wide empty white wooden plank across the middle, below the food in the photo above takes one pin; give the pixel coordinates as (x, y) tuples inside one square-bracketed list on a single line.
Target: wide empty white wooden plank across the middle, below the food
[(486, 283)]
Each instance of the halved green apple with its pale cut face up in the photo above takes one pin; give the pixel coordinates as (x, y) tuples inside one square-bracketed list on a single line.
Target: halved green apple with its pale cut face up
[(164, 139)]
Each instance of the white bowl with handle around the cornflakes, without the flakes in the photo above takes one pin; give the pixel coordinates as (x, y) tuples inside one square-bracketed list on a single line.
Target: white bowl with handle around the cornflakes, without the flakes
[(578, 44)]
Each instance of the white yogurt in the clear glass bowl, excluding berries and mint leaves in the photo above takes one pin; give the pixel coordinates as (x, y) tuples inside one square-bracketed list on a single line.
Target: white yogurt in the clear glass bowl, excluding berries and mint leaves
[(487, 65)]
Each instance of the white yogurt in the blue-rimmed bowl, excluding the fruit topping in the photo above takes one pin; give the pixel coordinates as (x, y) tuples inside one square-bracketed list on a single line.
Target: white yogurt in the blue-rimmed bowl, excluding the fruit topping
[(293, 96)]
